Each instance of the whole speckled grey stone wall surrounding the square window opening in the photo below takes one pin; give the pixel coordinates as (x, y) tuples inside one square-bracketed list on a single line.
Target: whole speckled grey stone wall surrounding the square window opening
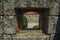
[(8, 21)]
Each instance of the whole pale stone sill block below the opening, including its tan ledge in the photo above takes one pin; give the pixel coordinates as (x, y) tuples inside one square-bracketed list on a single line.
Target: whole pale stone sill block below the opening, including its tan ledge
[(30, 35)]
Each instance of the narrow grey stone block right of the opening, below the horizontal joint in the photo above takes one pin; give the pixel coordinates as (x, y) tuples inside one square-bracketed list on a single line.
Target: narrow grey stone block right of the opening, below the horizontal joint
[(52, 24)]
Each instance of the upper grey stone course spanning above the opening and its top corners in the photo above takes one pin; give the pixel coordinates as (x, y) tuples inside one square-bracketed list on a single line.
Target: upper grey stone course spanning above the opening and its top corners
[(9, 6)]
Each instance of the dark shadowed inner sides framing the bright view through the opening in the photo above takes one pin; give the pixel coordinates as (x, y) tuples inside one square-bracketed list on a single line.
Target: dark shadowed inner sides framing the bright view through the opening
[(43, 17)]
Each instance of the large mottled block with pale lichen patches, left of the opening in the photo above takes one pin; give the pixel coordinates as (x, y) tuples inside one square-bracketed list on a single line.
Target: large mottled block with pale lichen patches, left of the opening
[(10, 24)]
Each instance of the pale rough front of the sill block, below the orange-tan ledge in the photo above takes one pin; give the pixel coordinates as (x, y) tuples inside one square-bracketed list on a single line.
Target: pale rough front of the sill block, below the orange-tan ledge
[(30, 37)]
